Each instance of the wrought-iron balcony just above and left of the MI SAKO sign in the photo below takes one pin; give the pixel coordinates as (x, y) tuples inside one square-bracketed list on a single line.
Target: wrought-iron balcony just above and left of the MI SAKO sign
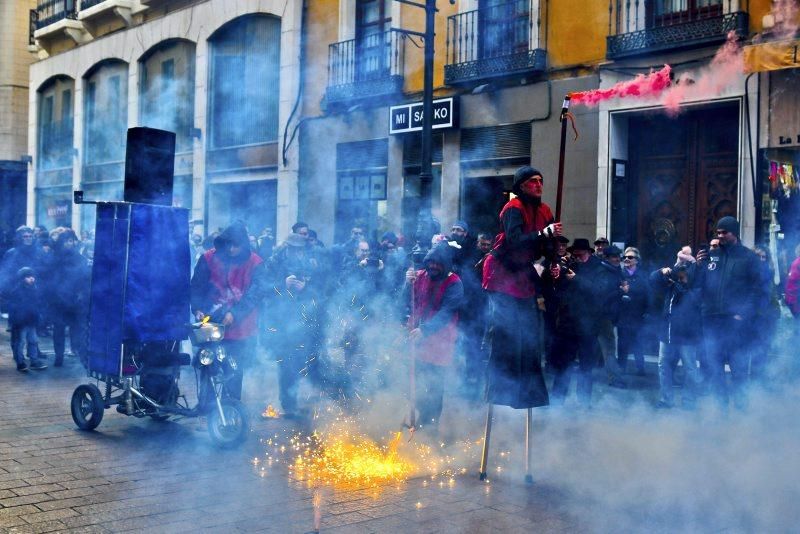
[(367, 68)]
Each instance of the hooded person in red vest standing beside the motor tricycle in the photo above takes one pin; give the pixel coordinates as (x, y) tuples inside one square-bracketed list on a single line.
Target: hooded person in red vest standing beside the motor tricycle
[(228, 283)]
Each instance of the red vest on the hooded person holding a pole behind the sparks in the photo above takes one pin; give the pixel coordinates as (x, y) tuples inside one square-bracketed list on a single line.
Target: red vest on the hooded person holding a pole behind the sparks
[(437, 347)]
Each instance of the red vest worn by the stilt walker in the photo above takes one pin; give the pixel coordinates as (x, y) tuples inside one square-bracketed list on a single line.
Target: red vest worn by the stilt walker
[(508, 270)]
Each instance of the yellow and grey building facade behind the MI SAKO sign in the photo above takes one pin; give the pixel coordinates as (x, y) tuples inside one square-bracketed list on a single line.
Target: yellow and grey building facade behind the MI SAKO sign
[(502, 68)]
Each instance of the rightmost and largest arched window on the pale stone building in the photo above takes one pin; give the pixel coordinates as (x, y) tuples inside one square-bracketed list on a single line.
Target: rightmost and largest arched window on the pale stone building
[(244, 82)]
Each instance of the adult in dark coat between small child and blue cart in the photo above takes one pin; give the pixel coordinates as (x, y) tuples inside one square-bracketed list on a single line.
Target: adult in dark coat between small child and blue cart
[(68, 295)]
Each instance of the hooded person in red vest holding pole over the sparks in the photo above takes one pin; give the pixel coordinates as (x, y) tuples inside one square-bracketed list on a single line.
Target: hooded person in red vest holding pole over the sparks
[(433, 323)]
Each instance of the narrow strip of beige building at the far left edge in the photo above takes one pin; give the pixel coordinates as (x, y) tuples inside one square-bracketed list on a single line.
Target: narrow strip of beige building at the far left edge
[(15, 59)]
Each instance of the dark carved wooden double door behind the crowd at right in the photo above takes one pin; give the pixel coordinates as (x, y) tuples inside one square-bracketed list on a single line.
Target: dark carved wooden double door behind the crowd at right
[(683, 177)]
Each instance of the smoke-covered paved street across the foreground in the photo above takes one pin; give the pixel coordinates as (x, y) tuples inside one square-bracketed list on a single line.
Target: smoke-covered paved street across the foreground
[(596, 472)]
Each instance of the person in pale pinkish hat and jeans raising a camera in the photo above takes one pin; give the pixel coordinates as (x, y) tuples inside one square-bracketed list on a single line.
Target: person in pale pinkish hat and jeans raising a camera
[(680, 331)]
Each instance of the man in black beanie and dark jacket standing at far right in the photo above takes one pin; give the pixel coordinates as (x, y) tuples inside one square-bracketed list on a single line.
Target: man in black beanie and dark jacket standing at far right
[(730, 293)]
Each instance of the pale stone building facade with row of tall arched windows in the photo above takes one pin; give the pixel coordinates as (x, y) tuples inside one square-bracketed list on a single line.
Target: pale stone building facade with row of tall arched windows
[(221, 74)]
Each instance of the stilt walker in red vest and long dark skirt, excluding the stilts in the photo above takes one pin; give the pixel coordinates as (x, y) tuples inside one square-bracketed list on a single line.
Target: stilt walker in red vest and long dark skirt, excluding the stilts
[(514, 374)]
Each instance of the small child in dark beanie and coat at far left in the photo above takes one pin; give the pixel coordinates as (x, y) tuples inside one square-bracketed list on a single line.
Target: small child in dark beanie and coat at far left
[(24, 309)]
